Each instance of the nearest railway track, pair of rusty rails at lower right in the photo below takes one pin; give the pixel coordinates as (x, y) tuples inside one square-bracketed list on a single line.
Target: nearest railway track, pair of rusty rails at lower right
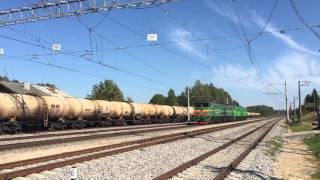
[(181, 171)]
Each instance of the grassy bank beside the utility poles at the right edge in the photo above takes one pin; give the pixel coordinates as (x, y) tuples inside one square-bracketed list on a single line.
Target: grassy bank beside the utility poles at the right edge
[(305, 124)]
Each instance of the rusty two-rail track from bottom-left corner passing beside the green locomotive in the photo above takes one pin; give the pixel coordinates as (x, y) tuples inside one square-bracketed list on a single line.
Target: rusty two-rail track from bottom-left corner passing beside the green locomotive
[(36, 165)]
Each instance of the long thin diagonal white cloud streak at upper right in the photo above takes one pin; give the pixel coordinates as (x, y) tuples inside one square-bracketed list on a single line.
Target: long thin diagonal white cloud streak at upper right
[(283, 37)]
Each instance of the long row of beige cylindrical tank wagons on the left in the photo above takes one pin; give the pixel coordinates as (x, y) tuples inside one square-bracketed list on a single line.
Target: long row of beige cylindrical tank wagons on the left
[(55, 112)]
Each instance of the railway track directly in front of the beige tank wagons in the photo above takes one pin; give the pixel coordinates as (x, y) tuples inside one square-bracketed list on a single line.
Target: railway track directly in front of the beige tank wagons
[(87, 131)]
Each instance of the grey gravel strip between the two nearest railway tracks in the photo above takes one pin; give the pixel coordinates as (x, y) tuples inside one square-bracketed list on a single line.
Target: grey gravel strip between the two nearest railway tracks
[(149, 162)]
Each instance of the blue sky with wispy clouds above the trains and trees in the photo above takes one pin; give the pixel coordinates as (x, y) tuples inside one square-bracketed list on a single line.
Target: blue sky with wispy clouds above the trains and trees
[(291, 56)]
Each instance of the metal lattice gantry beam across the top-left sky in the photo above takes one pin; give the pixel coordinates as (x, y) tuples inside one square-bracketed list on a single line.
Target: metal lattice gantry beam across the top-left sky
[(51, 9)]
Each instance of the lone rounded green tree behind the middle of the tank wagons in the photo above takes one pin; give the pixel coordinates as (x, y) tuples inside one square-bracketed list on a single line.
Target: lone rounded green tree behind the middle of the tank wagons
[(106, 90)]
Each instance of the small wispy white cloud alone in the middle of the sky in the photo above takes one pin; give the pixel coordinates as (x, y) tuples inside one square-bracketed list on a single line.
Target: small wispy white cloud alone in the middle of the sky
[(182, 37)]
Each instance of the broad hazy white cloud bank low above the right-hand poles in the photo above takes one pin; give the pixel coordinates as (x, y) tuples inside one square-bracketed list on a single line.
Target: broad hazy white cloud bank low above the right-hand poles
[(290, 67)]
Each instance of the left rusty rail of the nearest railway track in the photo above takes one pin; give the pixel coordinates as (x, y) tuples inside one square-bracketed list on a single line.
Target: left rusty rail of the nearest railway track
[(200, 158)]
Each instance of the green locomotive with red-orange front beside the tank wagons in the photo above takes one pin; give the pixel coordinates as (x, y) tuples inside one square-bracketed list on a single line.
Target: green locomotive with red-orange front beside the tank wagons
[(208, 112)]
